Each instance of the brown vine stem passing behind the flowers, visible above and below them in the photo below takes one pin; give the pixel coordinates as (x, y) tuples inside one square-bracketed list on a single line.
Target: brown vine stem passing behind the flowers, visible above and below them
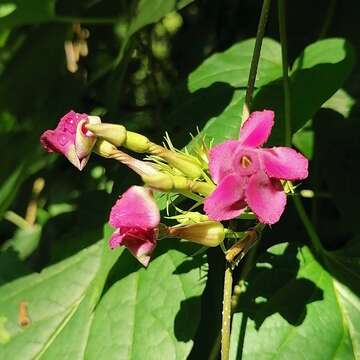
[(228, 280)]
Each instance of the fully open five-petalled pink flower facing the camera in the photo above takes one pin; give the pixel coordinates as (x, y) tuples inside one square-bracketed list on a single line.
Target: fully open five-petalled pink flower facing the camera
[(248, 175)]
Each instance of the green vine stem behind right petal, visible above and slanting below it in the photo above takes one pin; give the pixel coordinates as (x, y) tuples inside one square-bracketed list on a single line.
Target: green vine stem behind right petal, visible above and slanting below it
[(309, 227)]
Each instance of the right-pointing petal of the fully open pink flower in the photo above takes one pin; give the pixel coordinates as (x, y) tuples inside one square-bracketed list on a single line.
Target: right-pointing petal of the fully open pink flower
[(284, 163)]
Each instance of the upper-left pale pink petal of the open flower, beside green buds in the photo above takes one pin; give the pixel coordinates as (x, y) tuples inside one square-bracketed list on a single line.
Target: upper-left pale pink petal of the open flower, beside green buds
[(222, 159)]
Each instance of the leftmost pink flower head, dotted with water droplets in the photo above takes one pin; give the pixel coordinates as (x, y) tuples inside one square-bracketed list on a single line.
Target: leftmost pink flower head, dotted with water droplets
[(71, 138)]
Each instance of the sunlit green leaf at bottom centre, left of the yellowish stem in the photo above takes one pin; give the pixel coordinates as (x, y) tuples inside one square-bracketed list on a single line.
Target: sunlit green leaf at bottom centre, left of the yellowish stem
[(150, 313)]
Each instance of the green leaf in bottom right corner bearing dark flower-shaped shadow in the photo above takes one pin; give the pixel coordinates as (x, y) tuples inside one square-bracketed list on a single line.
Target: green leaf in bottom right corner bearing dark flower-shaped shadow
[(296, 309)]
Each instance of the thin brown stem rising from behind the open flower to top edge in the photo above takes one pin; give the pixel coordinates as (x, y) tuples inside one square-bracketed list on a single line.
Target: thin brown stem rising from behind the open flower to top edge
[(255, 59)]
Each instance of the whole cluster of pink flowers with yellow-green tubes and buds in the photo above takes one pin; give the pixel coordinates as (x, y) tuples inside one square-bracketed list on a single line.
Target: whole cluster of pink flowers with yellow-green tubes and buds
[(232, 179)]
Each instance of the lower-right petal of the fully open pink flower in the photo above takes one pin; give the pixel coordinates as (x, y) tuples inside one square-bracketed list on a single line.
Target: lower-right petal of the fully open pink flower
[(265, 197)]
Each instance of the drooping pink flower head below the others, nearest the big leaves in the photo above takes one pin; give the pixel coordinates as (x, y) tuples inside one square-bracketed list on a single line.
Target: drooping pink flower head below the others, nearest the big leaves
[(136, 218)]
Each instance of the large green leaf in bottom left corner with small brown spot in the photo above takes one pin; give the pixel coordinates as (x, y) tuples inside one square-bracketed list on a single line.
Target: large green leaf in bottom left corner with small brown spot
[(60, 301)]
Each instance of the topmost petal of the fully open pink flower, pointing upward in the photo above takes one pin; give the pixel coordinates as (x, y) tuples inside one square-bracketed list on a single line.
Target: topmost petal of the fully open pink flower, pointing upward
[(257, 128)]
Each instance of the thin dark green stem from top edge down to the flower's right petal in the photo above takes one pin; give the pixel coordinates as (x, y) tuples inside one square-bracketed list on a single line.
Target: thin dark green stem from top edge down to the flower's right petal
[(285, 67)]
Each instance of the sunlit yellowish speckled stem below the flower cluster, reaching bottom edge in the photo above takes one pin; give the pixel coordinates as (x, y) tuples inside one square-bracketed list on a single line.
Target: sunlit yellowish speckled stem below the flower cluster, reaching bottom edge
[(226, 319)]
